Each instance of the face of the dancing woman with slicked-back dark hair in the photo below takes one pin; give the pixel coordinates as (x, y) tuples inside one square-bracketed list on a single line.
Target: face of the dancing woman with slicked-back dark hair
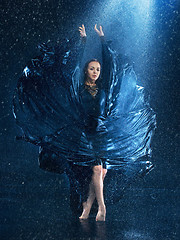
[(93, 71)]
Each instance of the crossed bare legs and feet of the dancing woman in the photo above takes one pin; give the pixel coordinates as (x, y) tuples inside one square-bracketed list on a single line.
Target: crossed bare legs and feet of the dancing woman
[(98, 176)]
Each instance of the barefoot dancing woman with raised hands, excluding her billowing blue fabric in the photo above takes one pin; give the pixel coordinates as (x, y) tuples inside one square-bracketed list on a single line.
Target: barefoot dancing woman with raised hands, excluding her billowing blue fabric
[(92, 74)]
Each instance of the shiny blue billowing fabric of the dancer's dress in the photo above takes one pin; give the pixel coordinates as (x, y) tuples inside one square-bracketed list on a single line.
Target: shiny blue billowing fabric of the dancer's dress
[(72, 128)]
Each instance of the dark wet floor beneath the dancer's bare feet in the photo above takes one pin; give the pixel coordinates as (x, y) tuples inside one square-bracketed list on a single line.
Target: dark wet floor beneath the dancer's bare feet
[(148, 214)]
